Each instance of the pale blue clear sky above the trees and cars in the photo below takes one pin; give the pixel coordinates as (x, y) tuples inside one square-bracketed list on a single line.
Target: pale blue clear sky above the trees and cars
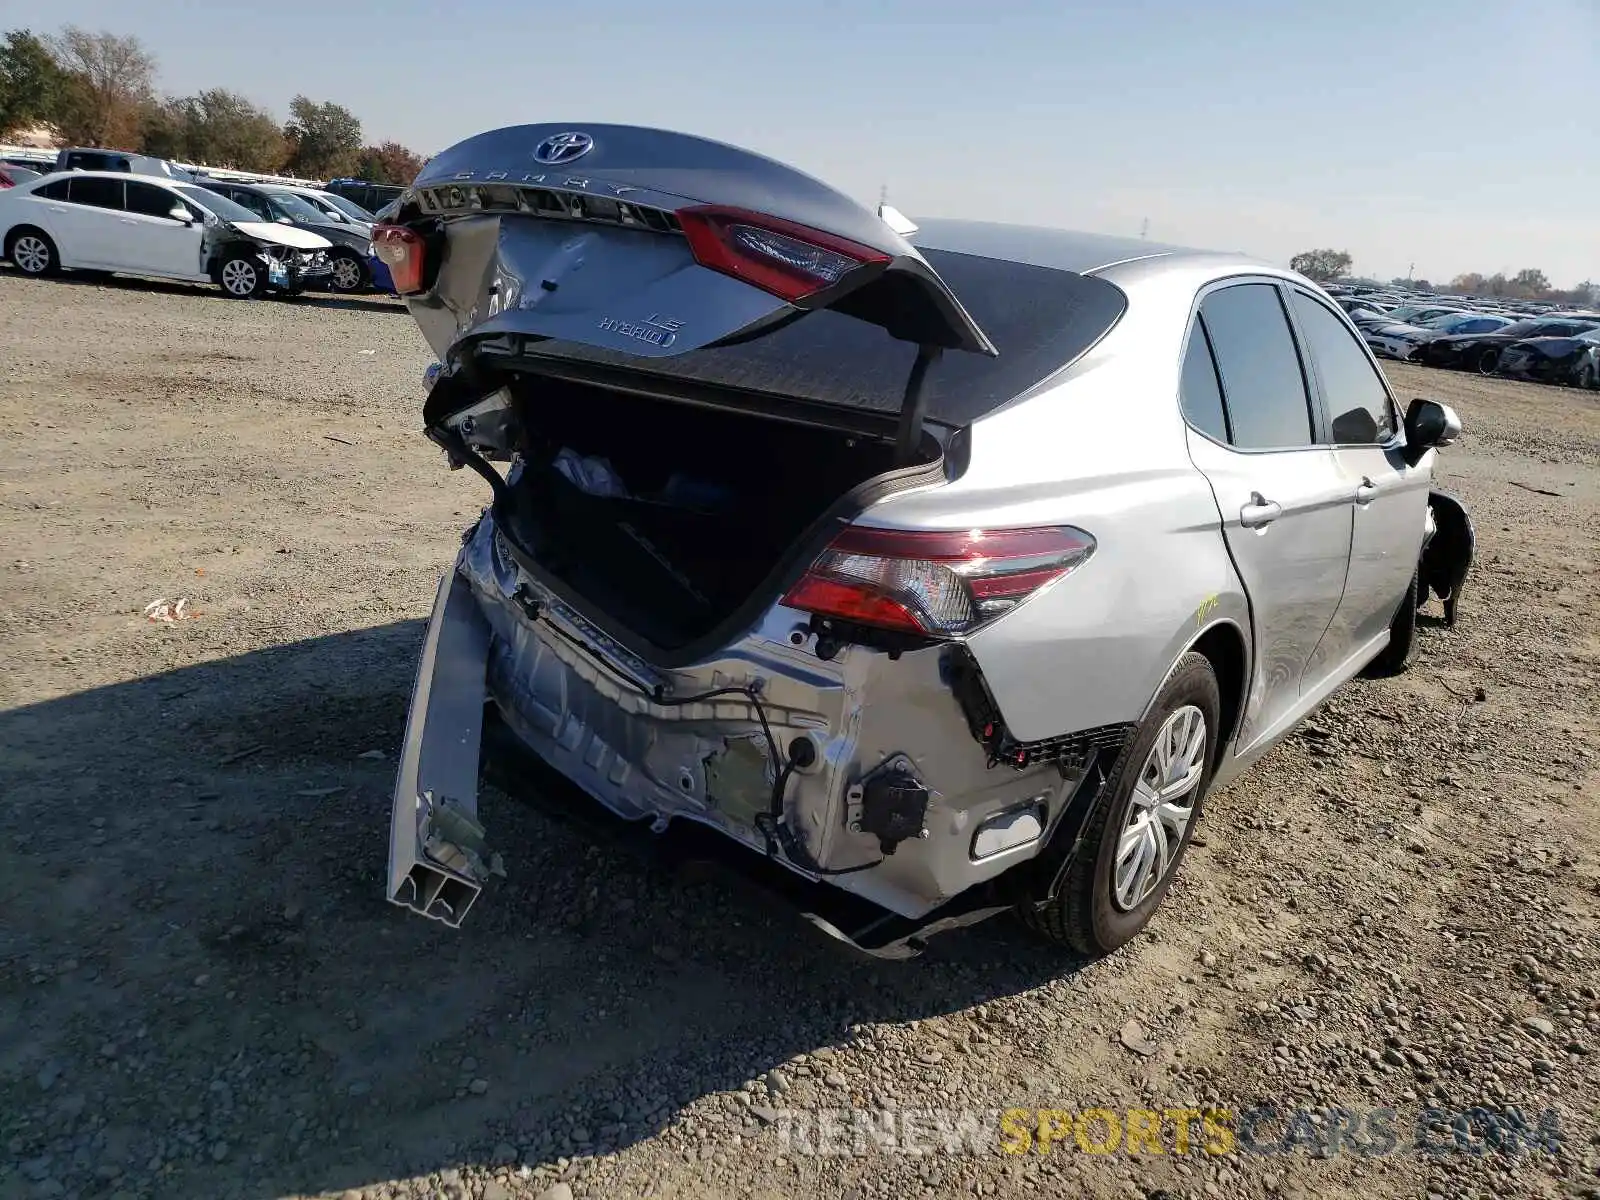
[(1458, 135)]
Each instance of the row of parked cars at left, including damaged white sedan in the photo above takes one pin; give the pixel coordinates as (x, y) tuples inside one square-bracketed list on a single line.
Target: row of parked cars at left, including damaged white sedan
[(113, 212)]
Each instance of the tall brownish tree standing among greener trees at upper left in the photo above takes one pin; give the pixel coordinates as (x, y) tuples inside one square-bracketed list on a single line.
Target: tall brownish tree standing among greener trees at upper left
[(111, 84)]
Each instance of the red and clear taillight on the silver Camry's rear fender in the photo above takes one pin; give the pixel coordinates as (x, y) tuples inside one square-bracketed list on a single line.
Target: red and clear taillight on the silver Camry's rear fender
[(935, 583)]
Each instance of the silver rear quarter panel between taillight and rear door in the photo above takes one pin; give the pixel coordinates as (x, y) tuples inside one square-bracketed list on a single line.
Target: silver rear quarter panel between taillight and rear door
[(1103, 449)]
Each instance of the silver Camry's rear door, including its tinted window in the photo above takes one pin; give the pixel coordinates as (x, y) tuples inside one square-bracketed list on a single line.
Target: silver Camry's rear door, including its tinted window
[(1284, 498)]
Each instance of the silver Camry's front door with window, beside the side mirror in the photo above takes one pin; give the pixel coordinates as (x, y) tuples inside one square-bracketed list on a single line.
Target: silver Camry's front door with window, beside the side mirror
[(1390, 500)]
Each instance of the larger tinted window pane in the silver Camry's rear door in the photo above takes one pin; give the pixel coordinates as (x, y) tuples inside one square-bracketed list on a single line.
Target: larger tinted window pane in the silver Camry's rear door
[(1263, 386)]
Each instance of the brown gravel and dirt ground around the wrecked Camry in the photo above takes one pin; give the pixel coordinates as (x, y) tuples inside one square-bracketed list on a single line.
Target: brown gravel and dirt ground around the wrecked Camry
[(204, 993)]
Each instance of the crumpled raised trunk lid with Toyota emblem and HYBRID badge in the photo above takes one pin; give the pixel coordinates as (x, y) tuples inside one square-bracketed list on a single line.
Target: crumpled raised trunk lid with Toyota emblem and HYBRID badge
[(615, 244)]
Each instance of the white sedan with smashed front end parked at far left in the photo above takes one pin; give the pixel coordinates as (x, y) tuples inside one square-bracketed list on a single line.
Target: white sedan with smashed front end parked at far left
[(154, 226)]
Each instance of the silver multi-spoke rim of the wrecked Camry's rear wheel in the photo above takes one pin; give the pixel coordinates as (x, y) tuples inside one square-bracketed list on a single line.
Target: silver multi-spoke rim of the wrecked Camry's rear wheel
[(1161, 807)]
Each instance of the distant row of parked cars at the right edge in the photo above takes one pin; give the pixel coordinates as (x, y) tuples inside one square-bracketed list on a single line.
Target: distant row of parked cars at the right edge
[(1551, 346)]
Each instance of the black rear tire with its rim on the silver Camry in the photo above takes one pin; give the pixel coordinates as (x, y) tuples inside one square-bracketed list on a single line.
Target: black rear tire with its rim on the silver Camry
[(1090, 913)]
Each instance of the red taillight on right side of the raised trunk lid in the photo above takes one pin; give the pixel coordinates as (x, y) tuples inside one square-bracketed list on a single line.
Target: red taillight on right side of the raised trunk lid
[(778, 257)]
